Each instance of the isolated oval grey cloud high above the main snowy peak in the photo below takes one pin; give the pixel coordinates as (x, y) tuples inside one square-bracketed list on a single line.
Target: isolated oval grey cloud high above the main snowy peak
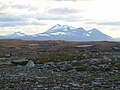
[(63, 11)]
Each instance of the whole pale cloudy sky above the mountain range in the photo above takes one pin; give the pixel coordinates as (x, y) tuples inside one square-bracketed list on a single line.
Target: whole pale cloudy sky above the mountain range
[(37, 16)]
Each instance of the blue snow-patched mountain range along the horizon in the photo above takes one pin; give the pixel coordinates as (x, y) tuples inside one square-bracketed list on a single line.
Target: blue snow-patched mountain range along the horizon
[(62, 32)]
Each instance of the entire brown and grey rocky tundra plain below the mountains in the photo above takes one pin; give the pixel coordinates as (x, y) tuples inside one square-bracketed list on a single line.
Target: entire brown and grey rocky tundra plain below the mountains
[(59, 65)]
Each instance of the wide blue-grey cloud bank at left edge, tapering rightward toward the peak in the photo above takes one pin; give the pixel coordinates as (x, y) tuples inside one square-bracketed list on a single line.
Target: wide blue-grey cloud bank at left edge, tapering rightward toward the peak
[(13, 21)]
